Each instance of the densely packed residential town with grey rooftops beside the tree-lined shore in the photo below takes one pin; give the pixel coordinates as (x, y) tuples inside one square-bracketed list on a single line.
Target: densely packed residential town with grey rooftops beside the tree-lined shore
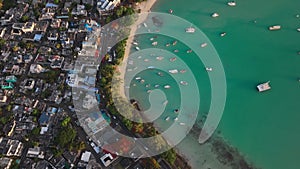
[(44, 44)]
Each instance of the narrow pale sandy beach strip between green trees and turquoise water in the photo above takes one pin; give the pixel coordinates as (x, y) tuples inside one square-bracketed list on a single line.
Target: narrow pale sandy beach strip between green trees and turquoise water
[(144, 7)]
